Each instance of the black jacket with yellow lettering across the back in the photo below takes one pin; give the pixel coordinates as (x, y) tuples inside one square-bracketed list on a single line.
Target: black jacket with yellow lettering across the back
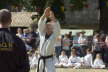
[(13, 56)]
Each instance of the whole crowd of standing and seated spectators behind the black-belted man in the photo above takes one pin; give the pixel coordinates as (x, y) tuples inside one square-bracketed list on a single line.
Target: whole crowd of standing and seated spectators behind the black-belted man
[(79, 51)]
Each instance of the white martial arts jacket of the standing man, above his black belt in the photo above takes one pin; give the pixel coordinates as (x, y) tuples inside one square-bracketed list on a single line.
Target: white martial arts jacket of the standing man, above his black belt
[(48, 47)]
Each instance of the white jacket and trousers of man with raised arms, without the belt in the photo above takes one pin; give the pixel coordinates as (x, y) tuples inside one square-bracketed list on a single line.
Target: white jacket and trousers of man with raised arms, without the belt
[(47, 47)]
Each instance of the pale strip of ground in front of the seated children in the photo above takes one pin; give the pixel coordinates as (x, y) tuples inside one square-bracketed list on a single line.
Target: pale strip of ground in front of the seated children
[(78, 70)]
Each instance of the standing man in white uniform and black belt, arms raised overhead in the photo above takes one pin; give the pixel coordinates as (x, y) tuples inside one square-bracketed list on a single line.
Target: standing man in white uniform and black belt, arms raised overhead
[(48, 35)]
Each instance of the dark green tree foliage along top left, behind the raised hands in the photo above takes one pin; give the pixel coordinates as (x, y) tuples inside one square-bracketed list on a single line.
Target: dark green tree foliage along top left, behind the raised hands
[(34, 5)]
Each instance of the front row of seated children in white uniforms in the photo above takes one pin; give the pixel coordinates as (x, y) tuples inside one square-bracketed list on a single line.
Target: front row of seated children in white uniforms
[(74, 61)]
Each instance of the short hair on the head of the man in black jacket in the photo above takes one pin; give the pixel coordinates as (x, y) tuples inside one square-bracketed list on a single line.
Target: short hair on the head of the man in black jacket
[(5, 16)]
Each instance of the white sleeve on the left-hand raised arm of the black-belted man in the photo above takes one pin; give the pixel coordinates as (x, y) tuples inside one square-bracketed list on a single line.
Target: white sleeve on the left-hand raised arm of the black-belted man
[(41, 25)]
